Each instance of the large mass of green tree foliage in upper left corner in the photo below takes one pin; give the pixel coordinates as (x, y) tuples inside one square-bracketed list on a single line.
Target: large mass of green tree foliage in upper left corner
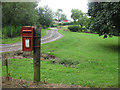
[(18, 13)]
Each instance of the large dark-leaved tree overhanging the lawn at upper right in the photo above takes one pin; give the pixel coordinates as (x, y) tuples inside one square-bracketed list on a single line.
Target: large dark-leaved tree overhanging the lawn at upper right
[(106, 18)]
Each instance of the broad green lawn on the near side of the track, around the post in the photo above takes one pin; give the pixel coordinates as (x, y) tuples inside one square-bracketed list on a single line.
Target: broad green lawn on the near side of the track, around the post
[(95, 60)]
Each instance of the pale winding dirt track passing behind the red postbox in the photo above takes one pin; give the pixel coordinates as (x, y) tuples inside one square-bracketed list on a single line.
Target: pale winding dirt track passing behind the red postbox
[(51, 35)]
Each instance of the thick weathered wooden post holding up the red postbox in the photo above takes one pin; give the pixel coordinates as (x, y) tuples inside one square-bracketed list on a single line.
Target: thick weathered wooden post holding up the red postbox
[(36, 53)]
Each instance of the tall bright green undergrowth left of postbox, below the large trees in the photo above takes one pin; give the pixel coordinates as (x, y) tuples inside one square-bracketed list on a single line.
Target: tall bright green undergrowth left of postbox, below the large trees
[(11, 31)]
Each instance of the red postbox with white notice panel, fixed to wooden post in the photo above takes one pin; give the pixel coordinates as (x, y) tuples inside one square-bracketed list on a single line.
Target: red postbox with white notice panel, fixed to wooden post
[(27, 38)]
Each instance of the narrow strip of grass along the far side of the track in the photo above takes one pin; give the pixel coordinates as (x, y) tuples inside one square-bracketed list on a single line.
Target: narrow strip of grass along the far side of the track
[(18, 39)]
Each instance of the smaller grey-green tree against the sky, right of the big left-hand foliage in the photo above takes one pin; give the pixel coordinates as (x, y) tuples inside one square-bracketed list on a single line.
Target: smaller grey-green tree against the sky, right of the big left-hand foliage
[(45, 16)]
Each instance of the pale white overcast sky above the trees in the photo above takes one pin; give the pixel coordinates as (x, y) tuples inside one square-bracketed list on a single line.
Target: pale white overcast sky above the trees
[(65, 5)]
